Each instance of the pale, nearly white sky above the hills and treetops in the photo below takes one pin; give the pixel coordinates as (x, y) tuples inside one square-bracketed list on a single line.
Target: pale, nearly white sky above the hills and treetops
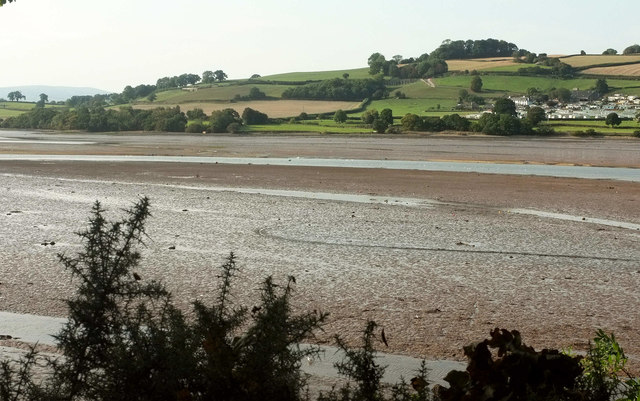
[(111, 44)]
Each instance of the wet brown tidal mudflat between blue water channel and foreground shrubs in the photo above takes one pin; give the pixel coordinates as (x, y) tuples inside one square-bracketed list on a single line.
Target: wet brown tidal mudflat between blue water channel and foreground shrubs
[(438, 259)]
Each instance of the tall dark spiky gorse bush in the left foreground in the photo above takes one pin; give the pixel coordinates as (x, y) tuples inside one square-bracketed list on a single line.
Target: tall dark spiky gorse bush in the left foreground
[(124, 339)]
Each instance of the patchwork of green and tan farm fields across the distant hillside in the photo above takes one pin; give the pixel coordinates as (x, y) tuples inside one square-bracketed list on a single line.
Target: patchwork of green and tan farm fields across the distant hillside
[(435, 97)]
